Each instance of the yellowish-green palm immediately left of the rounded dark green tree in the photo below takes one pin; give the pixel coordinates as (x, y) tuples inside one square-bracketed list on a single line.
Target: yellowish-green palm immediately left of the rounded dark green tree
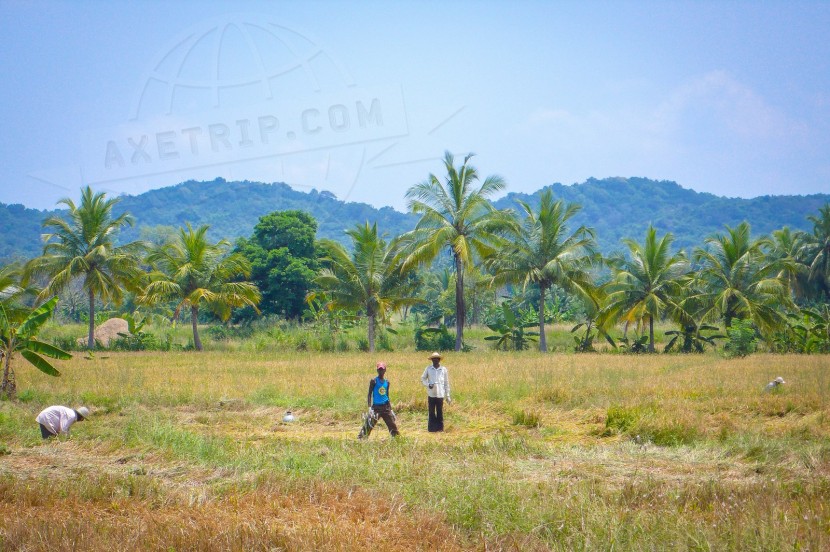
[(190, 270)]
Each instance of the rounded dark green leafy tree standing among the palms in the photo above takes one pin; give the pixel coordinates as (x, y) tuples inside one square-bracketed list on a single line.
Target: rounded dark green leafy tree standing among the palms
[(283, 259)]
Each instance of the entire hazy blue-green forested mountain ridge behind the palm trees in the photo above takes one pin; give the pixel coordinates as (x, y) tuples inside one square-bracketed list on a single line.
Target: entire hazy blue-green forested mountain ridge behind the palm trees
[(614, 207)]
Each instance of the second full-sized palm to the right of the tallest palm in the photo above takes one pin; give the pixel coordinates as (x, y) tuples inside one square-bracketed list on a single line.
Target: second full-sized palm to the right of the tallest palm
[(647, 284)]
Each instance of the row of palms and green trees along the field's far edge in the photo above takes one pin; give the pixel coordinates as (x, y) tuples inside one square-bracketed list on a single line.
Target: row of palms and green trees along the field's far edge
[(779, 284)]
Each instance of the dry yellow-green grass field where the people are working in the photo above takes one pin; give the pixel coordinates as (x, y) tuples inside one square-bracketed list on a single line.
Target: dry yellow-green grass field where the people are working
[(187, 451)]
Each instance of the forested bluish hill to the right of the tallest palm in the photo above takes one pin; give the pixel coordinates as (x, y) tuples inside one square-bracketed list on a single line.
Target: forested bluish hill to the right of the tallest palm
[(624, 207)]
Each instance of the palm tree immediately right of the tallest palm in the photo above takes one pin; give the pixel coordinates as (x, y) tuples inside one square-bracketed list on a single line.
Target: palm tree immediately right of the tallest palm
[(542, 252)]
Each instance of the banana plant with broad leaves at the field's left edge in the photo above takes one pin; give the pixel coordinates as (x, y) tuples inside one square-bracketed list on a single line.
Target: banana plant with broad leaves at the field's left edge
[(21, 337)]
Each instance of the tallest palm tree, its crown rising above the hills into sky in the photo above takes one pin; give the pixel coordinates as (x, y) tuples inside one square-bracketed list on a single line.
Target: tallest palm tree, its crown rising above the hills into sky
[(455, 214)]
